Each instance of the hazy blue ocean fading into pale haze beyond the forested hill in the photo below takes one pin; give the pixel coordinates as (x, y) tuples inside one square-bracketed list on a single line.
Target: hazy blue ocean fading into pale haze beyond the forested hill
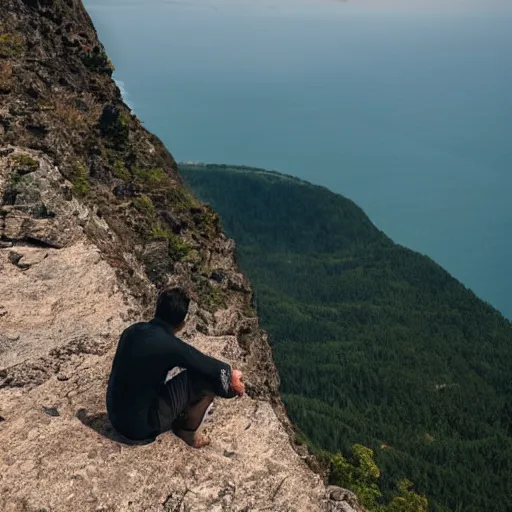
[(404, 107)]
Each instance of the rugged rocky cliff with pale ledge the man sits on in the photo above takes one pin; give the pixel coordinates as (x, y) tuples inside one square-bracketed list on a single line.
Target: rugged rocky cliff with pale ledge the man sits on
[(94, 219)]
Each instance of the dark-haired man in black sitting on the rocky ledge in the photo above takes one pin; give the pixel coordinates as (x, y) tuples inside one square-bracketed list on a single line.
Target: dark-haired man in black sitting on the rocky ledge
[(141, 401)]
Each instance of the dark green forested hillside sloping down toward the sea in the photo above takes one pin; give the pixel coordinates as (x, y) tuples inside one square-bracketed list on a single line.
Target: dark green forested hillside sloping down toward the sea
[(375, 344)]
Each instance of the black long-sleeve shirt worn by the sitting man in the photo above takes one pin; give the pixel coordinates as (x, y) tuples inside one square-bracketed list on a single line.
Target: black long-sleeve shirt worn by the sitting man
[(145, 354)]
